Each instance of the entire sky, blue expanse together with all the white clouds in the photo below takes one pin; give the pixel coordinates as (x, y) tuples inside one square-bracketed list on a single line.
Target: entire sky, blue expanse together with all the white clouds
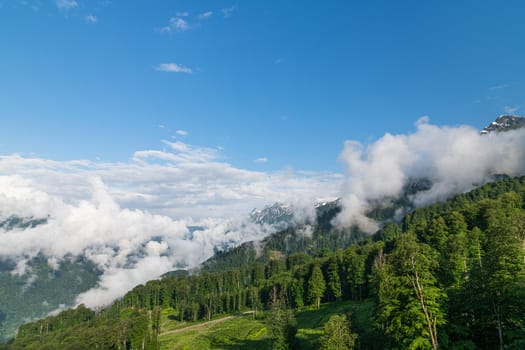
[(130, 122)]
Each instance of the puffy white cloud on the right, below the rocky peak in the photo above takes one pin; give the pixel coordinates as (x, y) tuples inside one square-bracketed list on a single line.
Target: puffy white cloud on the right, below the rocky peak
[(454, 159)]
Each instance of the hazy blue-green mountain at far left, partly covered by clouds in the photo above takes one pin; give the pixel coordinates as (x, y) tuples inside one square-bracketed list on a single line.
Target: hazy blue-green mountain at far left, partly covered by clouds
[(41, 289)]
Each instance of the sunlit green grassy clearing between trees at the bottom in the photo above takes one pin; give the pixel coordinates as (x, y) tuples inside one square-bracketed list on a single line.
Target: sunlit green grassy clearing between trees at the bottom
[(245, 332)]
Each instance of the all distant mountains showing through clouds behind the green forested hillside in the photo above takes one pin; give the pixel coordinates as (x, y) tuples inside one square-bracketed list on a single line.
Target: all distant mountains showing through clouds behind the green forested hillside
[(32, 296)]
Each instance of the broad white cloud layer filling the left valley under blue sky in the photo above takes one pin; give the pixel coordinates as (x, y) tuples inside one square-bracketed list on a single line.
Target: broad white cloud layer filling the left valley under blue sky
[(132, 219)]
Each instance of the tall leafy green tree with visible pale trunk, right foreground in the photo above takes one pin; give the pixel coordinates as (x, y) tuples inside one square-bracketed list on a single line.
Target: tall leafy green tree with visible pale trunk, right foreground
[(410, 302)]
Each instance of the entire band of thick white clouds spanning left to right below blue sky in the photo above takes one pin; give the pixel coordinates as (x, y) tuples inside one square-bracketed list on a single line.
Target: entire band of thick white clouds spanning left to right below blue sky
[(168, 209)]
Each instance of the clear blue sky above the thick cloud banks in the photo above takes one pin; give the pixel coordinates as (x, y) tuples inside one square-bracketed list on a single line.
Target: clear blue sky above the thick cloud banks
[(282, 82)]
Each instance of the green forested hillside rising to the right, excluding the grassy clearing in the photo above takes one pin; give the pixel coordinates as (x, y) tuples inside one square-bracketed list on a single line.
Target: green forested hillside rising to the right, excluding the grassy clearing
[(450, 276)]
